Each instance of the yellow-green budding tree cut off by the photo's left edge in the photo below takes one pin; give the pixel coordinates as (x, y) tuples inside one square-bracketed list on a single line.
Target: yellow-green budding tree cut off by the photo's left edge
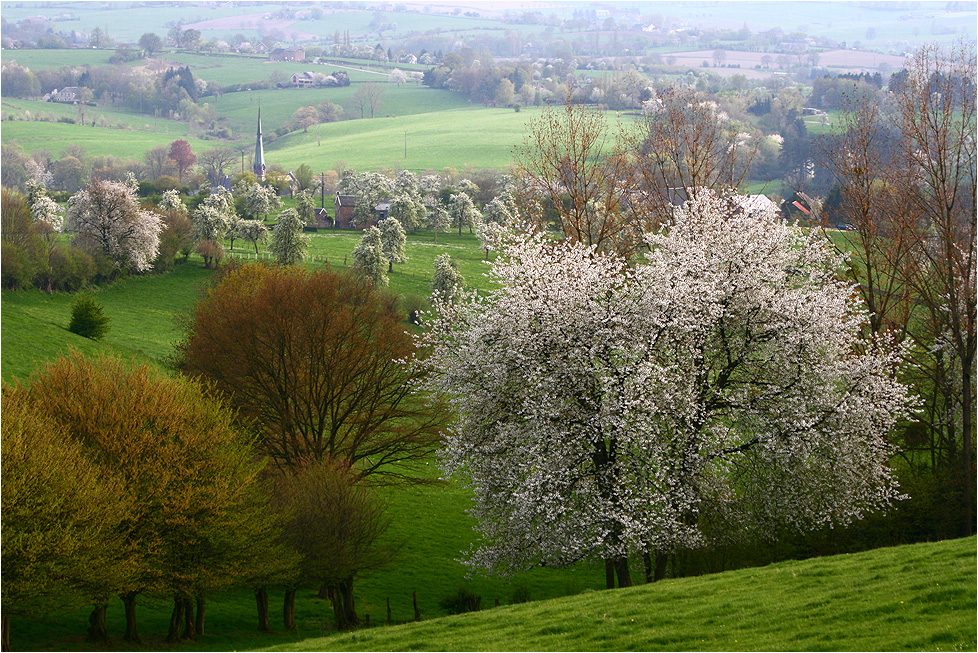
[(62, 514)]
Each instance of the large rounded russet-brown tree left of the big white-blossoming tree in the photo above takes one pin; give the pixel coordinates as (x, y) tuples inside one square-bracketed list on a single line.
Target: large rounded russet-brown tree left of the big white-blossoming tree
[(316, 361)]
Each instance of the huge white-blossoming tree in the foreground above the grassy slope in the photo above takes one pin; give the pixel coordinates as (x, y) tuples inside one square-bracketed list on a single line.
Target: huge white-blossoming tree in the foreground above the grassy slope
[(719, 387)]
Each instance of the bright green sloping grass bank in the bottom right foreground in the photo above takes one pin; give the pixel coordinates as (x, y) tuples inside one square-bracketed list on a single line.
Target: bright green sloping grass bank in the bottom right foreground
[(914, 597)]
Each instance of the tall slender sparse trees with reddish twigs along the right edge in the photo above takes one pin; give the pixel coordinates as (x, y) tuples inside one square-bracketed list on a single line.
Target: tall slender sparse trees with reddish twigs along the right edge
[(905, 174)]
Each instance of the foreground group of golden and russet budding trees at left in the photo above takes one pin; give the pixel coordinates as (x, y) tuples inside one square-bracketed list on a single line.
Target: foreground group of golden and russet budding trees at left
[(170, 493)]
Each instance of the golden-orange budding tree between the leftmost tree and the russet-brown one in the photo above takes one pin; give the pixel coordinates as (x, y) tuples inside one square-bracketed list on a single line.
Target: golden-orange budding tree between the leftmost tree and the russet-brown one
[(188, 471)]
